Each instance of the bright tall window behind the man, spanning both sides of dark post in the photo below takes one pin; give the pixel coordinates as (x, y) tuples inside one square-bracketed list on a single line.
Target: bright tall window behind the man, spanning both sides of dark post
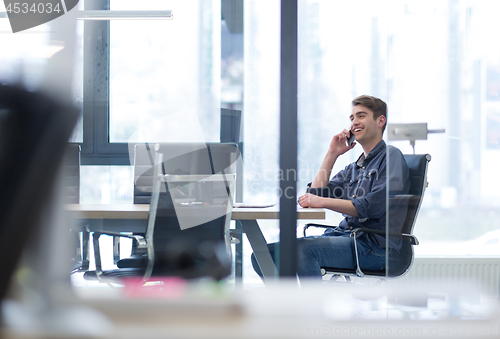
[(431, 62)]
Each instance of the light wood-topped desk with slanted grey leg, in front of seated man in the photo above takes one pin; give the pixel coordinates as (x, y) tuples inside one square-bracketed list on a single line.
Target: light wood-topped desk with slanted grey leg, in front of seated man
[(133, 218)]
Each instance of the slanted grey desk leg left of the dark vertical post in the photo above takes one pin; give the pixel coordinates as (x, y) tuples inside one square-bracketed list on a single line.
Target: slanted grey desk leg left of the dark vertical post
[(259, 247)]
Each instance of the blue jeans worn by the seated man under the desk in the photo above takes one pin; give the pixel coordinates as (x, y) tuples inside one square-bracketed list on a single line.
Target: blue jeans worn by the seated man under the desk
[(335, 249)]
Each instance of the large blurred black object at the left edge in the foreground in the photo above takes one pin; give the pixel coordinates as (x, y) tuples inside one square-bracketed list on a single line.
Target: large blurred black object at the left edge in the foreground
[(34, 131)]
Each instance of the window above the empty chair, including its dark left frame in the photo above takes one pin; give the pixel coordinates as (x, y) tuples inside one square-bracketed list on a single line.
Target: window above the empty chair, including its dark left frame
[(150, 80)]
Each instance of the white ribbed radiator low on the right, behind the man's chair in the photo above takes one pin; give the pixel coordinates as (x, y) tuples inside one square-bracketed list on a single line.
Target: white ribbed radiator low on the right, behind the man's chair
[(483, 272)]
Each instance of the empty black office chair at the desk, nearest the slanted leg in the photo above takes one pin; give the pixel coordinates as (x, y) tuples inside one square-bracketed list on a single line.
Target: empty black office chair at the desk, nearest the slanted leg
[(193, 190)]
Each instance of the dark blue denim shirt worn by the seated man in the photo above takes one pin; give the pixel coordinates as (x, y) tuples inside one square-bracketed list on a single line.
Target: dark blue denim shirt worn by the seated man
[(364, 183)]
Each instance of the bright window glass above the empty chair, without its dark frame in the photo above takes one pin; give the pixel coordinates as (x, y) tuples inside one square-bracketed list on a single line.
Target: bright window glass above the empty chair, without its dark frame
[(164, 73)]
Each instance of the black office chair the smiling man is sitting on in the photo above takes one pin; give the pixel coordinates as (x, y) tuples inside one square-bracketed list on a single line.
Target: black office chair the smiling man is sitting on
[(400, 264)]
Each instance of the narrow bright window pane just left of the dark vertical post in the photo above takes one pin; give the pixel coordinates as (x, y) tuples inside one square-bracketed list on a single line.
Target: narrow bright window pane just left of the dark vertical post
[(261, 101)]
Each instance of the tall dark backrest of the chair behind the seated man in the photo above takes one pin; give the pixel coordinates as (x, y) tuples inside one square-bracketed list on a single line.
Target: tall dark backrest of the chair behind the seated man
[(417, 163)]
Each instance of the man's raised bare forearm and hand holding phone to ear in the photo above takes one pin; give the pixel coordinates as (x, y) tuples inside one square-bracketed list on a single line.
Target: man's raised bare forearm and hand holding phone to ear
[(337, 147)]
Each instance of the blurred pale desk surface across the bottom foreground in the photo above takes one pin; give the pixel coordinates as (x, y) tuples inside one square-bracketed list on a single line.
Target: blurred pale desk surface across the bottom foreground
[(280, 311)]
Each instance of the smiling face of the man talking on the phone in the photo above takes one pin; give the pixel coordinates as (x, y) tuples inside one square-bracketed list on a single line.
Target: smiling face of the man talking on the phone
[(364, 127)]
